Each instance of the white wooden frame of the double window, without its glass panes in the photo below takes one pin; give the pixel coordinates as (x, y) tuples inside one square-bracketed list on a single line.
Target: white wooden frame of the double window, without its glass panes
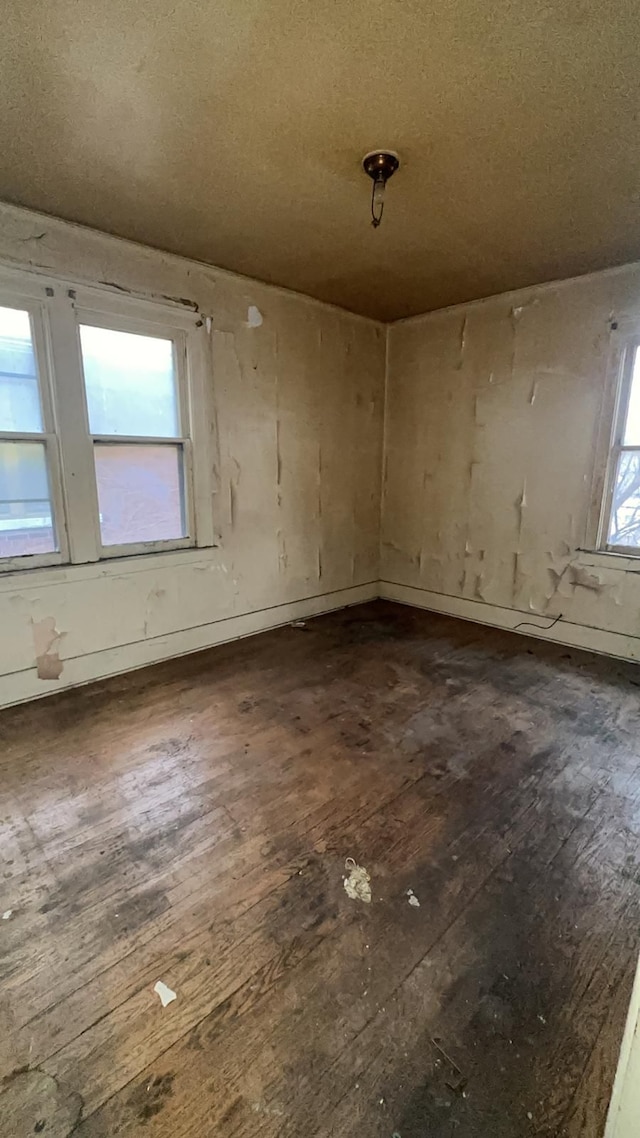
[(58, 308)]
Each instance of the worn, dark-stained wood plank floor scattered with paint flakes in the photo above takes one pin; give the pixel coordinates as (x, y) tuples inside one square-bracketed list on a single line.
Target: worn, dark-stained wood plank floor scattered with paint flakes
[(191, 823)]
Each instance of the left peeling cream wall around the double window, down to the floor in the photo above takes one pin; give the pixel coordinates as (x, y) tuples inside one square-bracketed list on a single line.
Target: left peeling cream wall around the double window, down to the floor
[(299, 391)]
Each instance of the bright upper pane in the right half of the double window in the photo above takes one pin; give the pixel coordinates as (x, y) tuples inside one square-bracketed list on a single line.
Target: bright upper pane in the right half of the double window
[(130, 383)]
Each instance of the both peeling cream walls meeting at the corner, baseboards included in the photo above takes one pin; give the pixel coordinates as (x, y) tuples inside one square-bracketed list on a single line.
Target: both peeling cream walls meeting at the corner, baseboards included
[(493, 416)]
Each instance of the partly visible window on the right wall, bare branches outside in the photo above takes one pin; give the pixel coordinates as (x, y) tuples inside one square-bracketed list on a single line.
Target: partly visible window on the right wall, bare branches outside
[(621, 525)]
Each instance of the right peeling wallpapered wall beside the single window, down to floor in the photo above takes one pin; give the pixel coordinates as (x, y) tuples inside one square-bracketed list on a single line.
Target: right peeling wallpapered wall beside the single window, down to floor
[(493, 418)]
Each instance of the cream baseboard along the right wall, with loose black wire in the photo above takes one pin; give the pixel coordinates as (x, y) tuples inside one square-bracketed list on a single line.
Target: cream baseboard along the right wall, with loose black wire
[(593, 640)]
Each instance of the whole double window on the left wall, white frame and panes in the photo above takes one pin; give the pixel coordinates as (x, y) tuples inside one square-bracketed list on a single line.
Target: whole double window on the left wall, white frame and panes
[(103, 426)]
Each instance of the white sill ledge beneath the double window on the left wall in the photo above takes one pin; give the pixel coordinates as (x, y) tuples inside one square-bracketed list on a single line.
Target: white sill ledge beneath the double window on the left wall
[(113, 567)]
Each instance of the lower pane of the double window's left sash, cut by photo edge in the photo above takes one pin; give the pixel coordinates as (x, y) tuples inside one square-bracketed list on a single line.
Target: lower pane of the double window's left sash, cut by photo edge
[(27, 523)]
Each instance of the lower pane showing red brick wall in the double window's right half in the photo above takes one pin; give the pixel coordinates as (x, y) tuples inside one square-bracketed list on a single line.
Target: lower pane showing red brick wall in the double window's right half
[(140, 493)]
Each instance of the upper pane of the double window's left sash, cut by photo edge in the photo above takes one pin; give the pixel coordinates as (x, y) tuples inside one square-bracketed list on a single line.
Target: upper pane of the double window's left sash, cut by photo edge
[(20, 397)]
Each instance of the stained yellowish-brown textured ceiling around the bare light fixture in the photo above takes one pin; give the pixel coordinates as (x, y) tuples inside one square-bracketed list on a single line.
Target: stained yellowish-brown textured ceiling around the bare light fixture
[(233, 133)]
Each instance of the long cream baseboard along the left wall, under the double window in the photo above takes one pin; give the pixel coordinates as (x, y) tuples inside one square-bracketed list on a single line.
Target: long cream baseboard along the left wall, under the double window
[(20, 687)]
